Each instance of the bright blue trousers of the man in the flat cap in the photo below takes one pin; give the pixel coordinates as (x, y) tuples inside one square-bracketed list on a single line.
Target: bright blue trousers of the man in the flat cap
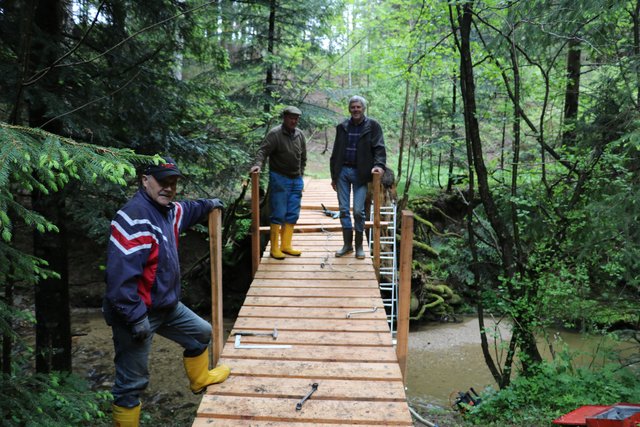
[(285, 198)]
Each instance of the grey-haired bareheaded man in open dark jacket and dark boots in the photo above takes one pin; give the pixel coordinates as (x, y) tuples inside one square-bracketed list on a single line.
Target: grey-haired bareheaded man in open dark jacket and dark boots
[(358, 152)]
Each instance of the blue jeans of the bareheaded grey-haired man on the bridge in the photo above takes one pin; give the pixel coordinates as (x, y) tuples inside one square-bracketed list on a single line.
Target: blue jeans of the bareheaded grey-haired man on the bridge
[(347, 179)]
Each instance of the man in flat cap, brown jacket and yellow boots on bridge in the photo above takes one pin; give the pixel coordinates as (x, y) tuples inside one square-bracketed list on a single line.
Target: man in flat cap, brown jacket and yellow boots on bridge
[(286, 148)]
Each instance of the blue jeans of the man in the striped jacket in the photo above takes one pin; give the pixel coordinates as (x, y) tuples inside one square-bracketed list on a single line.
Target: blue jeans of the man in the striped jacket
[(179, 324)]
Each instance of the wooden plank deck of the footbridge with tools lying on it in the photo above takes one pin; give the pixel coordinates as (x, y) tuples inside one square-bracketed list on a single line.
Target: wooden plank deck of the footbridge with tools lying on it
[(307, 298)]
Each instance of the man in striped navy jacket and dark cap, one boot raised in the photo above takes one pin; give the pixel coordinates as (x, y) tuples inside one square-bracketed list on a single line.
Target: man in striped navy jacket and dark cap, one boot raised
[(143, 289)]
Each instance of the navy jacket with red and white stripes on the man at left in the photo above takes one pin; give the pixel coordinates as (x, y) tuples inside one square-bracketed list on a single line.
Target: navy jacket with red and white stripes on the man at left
[(143, 270)]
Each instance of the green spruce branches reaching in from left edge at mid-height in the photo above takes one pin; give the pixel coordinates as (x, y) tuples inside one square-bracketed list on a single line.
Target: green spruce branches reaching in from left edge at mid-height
[(33, 160)]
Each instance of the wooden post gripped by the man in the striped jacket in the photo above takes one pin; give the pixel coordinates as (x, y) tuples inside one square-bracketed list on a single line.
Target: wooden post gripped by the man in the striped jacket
[(215, 257)]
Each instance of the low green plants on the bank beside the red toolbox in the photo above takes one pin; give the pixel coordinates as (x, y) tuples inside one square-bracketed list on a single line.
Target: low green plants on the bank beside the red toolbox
[(556, 388)]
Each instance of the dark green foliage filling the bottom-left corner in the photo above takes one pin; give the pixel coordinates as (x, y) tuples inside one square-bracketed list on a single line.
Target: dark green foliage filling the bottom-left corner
[(54, 400)]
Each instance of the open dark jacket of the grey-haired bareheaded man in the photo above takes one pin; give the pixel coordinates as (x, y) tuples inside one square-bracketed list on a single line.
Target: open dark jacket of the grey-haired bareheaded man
[(370, 151)]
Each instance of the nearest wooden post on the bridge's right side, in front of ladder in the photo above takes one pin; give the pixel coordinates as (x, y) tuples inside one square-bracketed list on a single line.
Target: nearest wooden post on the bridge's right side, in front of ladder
[(404, 291)]
